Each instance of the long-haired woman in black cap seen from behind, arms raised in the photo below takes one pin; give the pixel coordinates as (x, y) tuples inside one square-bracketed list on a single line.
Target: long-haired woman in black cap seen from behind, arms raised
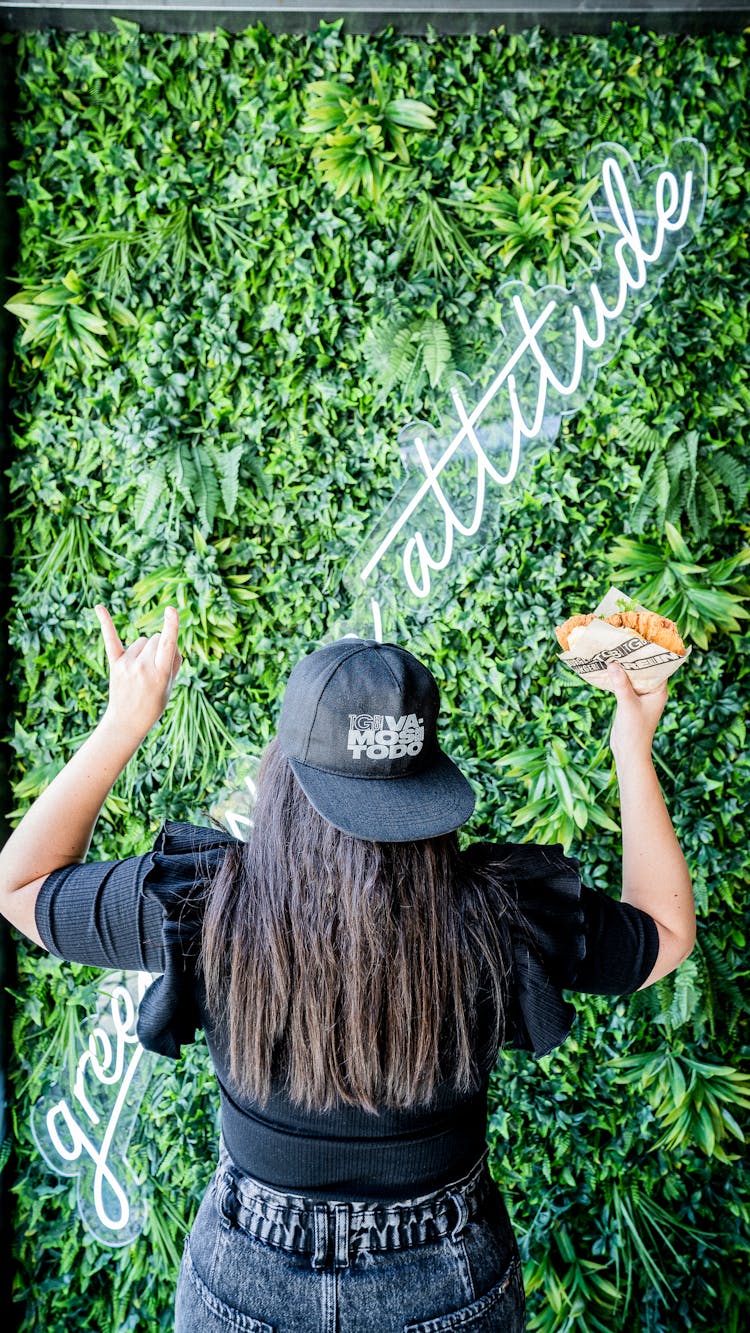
[(355, 975)]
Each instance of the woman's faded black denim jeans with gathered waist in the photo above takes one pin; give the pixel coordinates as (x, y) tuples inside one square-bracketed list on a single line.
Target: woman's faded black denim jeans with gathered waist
[(278, 1263)]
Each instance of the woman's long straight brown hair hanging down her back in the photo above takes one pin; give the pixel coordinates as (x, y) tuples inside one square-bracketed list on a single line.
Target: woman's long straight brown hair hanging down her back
[(340, 963)]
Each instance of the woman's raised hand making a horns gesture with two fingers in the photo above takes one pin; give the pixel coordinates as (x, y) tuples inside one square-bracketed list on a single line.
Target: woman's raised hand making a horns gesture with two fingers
[(141, 676)]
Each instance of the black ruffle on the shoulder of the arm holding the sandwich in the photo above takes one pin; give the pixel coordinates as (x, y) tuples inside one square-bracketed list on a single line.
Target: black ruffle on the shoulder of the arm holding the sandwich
[(550, 938)]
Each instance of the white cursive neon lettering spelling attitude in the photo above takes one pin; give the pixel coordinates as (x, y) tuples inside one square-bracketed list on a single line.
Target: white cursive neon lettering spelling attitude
[(531, 378)]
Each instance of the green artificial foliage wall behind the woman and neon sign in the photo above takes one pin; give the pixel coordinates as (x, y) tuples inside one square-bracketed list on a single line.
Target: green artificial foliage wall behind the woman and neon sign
[(219, 341)]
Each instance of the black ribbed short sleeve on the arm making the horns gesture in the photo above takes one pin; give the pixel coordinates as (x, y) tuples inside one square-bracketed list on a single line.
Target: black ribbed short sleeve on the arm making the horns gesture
[(97, 912)]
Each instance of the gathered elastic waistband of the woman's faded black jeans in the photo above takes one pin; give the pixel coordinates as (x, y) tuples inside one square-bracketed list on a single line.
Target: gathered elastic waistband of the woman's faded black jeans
[(340, 1230)]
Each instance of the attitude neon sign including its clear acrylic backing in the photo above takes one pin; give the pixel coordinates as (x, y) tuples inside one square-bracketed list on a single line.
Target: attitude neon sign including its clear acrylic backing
[(556, 342)]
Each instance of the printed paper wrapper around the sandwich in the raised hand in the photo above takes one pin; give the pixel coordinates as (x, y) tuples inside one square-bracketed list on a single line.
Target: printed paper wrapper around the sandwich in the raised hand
[(593, 647)]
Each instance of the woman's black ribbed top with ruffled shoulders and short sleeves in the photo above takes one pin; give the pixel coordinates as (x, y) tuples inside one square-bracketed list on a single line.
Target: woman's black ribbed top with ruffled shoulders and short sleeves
[(145, 914)]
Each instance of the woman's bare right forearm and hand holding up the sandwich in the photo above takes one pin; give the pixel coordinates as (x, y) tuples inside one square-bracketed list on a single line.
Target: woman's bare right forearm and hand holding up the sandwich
[(655, 872)]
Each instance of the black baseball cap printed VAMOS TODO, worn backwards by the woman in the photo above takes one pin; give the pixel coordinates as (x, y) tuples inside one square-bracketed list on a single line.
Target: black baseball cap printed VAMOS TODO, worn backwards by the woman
[(359, 727)]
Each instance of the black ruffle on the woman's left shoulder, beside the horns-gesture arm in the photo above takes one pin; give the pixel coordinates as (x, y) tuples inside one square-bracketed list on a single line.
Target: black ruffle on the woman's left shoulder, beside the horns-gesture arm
[(185, 856)]
